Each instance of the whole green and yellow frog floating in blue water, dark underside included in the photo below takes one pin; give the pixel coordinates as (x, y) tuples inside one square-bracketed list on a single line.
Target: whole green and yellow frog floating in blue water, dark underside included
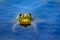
[(25, 20)]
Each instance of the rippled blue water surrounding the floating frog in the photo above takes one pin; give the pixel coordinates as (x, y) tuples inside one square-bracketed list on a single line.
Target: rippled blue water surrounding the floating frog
[(42, 9)]
